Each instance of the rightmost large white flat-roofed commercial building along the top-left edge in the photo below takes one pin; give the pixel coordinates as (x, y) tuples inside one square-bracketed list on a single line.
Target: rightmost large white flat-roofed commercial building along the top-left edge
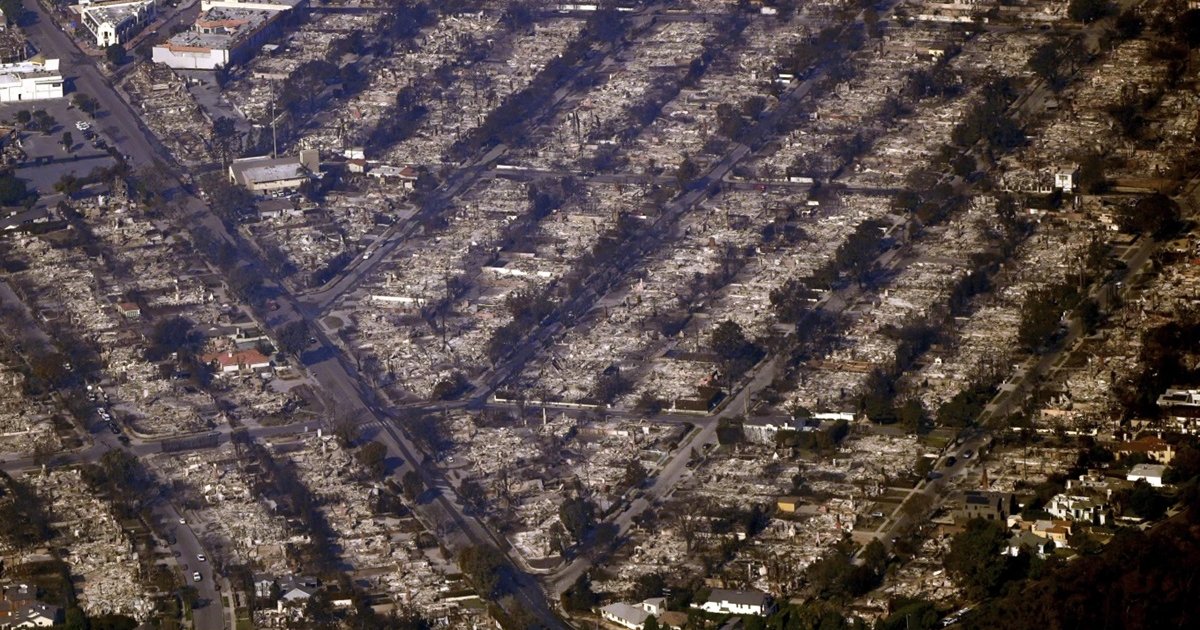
[(226, 33)]
